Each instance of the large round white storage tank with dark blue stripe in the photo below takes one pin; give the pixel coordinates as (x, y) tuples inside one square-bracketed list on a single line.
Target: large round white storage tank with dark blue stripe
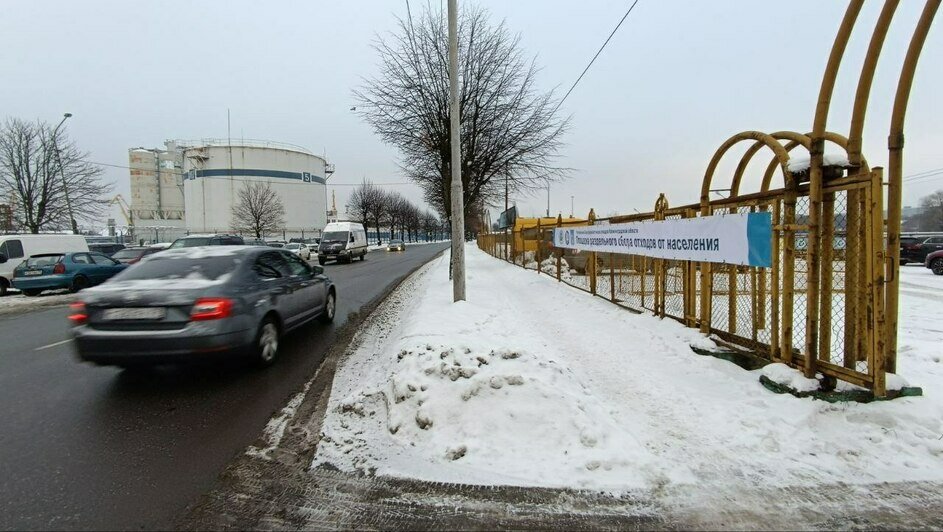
[(215, 171)]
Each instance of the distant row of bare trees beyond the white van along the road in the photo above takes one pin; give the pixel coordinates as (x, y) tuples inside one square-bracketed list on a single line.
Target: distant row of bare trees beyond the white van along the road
[(377, 208)]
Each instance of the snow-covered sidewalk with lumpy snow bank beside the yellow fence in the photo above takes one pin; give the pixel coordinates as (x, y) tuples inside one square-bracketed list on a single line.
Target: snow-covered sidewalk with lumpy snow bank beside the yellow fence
[(534, 383)]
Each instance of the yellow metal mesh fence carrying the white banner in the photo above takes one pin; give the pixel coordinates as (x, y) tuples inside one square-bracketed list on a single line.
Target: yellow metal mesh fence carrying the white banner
[(761, 309)]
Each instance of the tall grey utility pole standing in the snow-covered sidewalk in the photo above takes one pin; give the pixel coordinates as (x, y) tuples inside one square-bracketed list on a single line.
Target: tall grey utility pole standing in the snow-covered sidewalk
[(458, 210)]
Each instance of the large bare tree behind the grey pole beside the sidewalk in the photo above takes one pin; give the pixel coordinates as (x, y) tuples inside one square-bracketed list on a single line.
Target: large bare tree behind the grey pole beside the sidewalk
[(510, 132)]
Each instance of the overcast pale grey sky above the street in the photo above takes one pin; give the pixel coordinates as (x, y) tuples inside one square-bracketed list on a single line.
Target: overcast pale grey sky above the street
[(676, 81)]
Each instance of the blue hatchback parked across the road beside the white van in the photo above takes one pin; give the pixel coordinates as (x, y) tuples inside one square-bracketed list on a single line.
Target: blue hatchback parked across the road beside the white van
[(54, 271)]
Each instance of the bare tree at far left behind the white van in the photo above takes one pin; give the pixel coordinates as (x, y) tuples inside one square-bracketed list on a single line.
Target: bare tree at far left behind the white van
[(34, 162)]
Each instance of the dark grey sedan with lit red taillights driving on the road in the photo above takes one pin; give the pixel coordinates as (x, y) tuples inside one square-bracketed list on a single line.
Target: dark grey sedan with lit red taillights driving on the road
[(190, 303)]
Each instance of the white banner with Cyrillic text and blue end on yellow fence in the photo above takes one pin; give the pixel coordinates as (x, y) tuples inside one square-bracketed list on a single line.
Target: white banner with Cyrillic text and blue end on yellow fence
[(744, 239)]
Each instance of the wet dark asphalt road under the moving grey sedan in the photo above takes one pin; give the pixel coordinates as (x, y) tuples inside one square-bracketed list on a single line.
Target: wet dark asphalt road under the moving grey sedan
[(95, 448)]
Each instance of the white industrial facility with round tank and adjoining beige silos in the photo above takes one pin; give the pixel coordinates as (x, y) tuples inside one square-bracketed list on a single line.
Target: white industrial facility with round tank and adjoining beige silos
[(191, 186)]
